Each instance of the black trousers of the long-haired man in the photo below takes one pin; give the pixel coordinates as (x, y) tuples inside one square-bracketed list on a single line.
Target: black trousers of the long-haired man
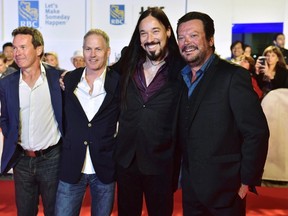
[(132, 185)]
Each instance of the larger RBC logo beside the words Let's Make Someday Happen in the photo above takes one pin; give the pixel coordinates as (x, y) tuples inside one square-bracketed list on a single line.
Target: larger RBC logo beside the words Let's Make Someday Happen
[(28, 13)]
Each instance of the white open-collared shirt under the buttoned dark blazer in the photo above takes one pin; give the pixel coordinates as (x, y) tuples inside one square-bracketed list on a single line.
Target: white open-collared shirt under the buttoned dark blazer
[(90, 103)]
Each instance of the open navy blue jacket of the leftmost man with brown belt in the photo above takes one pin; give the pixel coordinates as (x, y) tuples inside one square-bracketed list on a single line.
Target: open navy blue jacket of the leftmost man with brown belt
[(9, 97)]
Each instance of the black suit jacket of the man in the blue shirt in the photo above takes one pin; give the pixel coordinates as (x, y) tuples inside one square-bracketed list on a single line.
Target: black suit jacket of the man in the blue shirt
[(224, 134)]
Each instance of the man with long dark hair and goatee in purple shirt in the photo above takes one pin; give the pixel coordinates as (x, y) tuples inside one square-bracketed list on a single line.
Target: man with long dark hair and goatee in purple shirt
[(145, 151)]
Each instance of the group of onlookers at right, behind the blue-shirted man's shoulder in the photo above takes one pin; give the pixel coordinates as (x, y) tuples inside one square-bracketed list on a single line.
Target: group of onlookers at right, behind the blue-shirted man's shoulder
[(269, 70)]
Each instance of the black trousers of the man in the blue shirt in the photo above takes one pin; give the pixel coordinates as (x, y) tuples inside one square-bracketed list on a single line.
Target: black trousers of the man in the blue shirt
[(193, 207)]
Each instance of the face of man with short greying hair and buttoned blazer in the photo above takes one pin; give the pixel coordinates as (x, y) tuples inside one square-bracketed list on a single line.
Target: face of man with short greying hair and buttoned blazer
[(96, 52)]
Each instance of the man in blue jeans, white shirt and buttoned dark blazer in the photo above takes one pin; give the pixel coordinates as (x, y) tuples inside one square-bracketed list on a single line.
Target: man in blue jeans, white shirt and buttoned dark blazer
[(91, 110)]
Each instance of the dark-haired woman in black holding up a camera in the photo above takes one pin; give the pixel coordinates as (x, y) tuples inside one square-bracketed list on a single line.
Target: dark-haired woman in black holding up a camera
[(273, 74)]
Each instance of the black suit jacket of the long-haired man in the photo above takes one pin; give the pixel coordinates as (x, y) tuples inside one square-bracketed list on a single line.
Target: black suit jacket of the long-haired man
[(146, 129)]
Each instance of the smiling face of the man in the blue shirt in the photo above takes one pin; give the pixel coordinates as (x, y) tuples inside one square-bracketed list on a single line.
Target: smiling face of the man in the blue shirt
[(192, 42)]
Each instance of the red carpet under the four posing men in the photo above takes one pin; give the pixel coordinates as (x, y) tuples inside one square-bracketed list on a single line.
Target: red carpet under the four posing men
[(269, 202)]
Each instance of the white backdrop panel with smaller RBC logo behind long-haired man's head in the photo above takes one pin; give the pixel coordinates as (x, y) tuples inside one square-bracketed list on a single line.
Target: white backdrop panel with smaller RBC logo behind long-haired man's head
[(121, 32)]
